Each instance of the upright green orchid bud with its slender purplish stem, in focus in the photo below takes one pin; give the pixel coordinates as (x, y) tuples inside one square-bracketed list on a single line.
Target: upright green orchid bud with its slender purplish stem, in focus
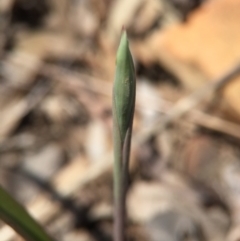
[(124, 89)]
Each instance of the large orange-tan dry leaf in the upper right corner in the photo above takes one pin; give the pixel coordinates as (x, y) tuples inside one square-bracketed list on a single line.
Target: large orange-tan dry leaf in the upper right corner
[(202, 49)]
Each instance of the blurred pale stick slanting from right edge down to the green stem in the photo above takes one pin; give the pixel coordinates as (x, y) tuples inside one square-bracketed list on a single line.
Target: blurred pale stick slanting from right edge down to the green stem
[(185, 105)]
